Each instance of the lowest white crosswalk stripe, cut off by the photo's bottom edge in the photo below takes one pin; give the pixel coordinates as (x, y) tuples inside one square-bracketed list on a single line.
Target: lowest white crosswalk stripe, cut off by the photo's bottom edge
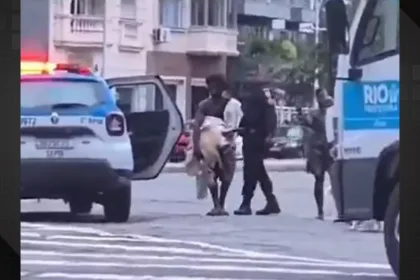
[(57, 275)]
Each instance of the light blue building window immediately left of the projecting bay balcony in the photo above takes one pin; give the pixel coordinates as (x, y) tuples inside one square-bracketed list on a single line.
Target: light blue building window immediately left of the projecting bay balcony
[(171, 13)]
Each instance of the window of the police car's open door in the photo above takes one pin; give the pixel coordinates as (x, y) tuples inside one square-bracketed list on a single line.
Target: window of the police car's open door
[(139, 98)]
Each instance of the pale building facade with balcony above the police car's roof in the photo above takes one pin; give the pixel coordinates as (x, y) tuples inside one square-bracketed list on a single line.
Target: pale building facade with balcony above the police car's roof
[(83, 30)]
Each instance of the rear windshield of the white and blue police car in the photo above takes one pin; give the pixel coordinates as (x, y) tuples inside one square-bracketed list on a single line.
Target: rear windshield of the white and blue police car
[(36, 93)]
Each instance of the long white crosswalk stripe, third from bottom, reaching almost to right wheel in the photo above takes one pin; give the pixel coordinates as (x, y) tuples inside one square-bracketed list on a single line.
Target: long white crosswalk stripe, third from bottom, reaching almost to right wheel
[(238, 260)]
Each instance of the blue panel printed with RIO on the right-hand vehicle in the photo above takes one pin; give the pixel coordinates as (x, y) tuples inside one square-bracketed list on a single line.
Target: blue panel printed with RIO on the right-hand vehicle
[(371, 105)]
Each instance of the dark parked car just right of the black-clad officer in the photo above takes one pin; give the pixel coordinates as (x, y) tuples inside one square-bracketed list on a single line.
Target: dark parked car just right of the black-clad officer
[(287, 142)]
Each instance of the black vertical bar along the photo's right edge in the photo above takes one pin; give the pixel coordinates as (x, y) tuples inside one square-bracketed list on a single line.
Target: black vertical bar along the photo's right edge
[(409, 140)]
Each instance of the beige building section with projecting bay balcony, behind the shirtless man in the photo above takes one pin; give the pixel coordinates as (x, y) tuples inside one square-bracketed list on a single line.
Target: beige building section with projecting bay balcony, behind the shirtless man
[(203, 41)]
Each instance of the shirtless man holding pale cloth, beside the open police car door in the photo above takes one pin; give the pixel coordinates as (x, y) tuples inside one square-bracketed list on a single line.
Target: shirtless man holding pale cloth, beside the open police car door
[(215, 106)]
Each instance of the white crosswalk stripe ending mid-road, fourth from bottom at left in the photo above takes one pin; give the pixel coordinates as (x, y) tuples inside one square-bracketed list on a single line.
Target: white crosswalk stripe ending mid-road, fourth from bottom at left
[(162, 249)]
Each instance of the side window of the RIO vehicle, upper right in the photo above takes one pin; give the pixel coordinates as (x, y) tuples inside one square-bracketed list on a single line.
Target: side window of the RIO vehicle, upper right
[(378, 34)]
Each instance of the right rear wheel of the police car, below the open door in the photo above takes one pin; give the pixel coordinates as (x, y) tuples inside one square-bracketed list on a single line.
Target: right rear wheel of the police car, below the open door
[(117, 204)]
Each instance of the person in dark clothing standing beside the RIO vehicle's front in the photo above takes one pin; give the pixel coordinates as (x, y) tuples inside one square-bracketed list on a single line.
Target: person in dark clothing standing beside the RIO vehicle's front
[(319, 158)]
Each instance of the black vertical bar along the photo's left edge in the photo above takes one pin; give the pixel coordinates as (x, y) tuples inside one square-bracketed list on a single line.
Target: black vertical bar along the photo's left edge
[(9, 116)]
